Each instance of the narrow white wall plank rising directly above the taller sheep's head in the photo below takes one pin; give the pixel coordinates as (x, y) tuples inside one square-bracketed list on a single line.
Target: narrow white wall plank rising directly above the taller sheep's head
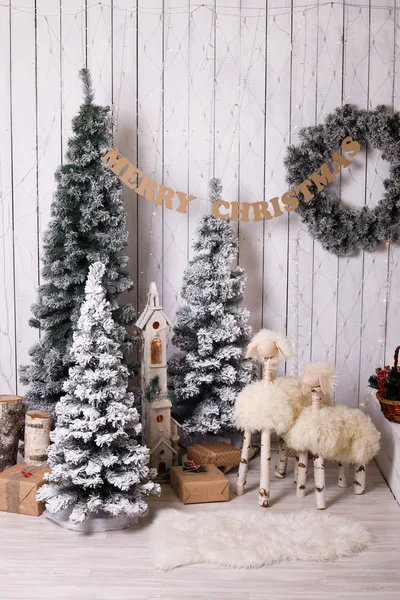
[(278, 111)]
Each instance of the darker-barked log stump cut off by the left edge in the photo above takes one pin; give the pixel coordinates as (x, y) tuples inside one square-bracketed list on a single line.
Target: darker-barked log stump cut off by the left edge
[(11, 424)]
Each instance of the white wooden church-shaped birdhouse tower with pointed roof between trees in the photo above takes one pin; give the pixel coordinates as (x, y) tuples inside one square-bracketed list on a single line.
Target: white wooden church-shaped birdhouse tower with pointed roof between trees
[(160, 431)]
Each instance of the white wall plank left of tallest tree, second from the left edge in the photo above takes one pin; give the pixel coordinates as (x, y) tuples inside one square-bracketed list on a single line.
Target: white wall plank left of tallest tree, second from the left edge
[(24, 126)]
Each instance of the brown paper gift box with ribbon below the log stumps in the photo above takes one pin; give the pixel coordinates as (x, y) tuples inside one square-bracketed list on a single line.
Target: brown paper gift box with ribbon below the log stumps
[(18, 487)]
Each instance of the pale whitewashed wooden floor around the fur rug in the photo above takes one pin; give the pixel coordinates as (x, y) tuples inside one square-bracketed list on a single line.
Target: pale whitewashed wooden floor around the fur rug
[(39, 560)]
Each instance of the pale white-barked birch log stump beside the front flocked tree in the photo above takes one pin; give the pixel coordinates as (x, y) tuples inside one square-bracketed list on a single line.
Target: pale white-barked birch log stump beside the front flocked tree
[(37, 437)]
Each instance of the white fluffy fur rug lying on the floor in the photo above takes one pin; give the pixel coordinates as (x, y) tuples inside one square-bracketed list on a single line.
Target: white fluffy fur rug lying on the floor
[(250, 539)]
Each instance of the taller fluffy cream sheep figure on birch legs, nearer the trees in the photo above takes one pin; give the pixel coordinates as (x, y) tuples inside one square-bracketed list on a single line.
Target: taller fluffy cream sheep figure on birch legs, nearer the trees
[(268, 405)]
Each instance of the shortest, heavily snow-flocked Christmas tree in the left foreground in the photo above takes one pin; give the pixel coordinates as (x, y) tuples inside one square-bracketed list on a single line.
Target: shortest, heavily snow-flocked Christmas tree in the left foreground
[(97, 464)]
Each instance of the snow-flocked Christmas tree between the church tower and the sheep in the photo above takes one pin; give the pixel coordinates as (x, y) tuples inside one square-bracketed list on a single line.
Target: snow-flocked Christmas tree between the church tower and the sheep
[(211, 330)]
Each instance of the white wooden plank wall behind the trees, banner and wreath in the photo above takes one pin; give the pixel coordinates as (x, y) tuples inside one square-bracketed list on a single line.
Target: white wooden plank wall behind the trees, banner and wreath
[(201, 90)]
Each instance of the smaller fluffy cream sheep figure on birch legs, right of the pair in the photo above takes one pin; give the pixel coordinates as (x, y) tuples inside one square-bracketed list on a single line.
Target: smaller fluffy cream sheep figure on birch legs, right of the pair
[(345, 435)]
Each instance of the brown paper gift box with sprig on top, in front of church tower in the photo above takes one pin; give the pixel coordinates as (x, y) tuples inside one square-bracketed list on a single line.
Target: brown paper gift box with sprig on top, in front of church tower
[(211, 486)]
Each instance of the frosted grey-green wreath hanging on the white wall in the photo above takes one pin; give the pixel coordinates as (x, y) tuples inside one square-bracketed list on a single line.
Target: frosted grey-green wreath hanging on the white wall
[(342, 229)]
